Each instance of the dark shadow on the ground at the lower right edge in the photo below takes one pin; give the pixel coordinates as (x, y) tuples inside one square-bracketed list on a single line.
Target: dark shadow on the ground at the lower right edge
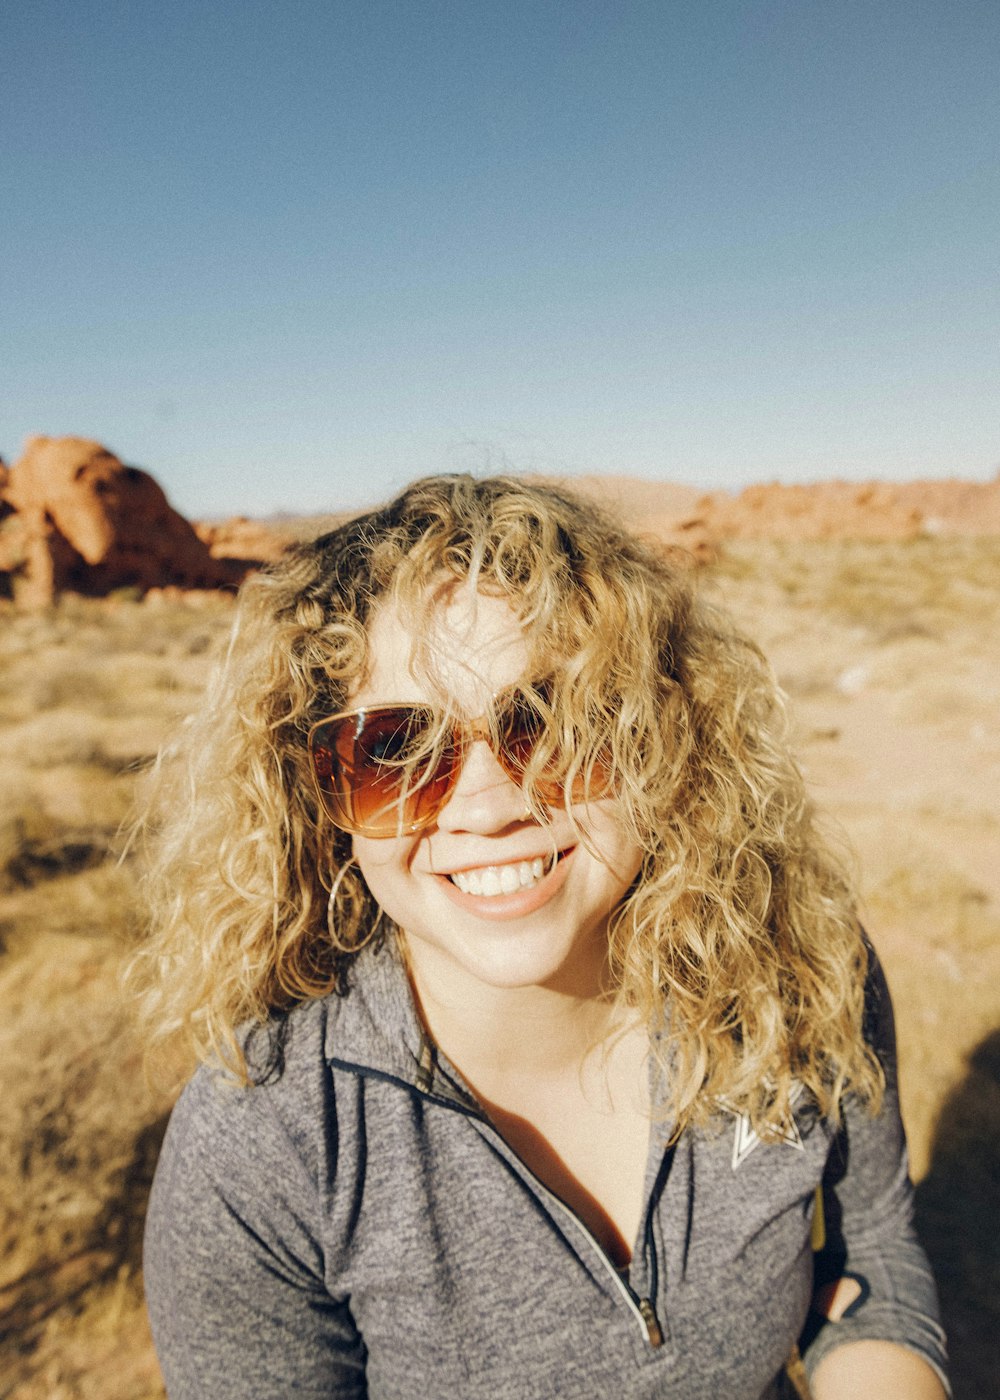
[(959, 1219)]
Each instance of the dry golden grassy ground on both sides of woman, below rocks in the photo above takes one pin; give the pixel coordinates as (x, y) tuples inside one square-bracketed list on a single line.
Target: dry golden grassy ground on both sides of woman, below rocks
[(889, 653)]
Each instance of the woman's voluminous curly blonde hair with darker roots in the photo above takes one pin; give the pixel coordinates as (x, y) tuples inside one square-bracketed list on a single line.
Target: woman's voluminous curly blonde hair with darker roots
[(742, 920)]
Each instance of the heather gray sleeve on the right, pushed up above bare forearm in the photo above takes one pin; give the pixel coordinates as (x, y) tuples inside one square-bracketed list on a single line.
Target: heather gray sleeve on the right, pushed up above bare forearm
[(868, 1200)]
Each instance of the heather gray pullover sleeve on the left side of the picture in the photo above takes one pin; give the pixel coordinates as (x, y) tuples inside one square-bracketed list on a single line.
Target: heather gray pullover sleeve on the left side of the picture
[(235, 1263)]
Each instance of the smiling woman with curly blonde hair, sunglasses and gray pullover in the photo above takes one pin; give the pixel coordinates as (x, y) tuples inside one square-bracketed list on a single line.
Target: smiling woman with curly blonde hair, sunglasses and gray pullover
[(487, 874)]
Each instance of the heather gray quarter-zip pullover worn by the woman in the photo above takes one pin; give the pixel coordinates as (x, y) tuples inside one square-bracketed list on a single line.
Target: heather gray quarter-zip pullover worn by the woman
[(355, 1227)]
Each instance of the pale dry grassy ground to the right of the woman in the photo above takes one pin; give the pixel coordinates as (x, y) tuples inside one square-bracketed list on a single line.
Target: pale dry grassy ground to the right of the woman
[(891, 656)]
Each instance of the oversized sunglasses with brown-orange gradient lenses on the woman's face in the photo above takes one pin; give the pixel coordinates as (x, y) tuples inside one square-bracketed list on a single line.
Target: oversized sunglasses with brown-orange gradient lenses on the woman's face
[(389, 769)]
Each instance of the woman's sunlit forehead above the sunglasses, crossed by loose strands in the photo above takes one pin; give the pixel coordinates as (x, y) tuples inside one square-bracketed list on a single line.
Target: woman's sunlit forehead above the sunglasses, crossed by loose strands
[(459, 647)]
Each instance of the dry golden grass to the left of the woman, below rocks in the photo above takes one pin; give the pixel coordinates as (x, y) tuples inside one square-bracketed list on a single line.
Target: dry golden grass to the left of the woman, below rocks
[(88, 695)]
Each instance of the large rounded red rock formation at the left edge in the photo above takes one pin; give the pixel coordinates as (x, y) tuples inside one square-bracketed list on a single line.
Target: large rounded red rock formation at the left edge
[(82, 521)]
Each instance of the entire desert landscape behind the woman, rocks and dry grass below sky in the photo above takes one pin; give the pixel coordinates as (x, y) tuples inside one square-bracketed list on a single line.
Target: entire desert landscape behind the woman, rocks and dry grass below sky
[(880, 610)]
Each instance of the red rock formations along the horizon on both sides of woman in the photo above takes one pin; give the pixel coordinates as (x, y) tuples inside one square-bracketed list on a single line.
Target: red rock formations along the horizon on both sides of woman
[(75, 519)]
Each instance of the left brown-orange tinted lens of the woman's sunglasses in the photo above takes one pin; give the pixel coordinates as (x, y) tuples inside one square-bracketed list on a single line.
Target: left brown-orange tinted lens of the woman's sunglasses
[(377, 772)]
